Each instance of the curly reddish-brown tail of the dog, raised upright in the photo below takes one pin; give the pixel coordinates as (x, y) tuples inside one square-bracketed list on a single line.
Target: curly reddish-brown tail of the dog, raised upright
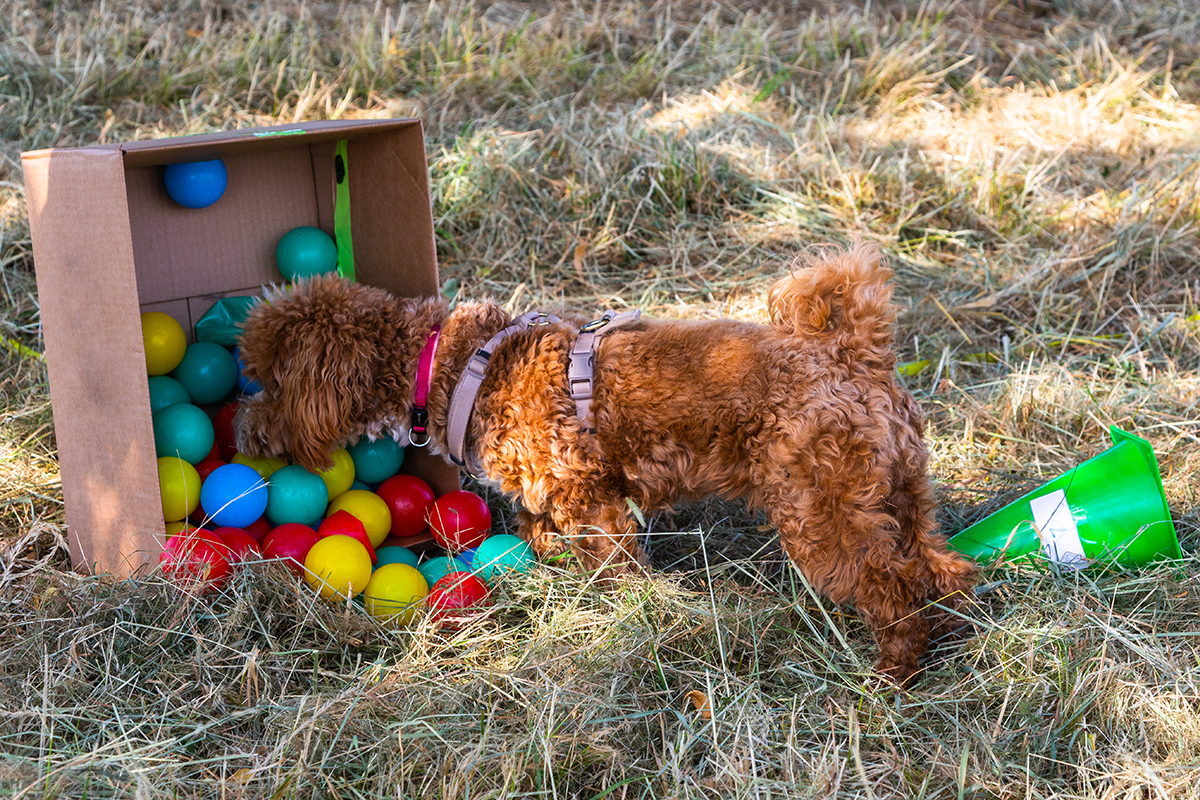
[(844, 298)]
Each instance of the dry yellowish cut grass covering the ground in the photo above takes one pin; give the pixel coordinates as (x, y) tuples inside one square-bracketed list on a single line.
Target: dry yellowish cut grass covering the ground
[(1031, 169)]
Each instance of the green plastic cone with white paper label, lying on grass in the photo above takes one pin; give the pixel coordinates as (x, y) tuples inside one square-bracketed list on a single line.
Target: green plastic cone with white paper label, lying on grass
[(1111, 509)]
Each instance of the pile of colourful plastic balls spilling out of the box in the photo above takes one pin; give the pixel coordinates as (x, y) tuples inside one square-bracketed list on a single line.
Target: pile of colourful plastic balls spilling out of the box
[(337, 528)]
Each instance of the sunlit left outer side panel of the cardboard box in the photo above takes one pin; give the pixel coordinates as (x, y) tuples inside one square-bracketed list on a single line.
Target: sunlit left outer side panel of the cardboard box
[(91, 320)]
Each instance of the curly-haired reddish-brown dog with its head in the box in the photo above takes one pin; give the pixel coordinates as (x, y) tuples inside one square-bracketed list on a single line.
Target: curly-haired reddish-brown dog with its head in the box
[(802, 418)]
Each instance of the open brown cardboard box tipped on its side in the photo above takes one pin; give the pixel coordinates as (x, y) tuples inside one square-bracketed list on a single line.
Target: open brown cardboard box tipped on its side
[(110, 244)]
